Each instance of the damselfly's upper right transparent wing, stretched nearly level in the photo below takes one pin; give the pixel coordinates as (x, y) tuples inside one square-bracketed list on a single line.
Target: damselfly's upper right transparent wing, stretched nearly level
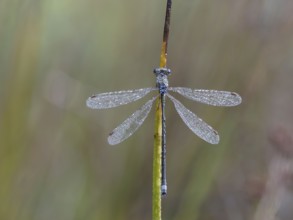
[(210, 97)]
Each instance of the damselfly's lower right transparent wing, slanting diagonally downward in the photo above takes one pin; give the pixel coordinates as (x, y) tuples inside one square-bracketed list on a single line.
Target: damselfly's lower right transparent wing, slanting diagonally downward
[(196, 124)]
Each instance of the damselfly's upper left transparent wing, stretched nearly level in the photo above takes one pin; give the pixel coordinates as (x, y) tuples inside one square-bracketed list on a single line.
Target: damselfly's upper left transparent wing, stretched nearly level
[(113, 99)]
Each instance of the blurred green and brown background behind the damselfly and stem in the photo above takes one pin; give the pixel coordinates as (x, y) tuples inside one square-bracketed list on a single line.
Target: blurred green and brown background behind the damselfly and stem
[(55, 162)]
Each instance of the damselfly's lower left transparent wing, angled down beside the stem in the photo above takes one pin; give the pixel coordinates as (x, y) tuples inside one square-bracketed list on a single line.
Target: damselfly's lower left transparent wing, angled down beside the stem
[(131, 124)]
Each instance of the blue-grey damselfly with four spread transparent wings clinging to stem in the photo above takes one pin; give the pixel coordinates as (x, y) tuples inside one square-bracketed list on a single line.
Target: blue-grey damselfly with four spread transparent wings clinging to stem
[(132, 123)]
